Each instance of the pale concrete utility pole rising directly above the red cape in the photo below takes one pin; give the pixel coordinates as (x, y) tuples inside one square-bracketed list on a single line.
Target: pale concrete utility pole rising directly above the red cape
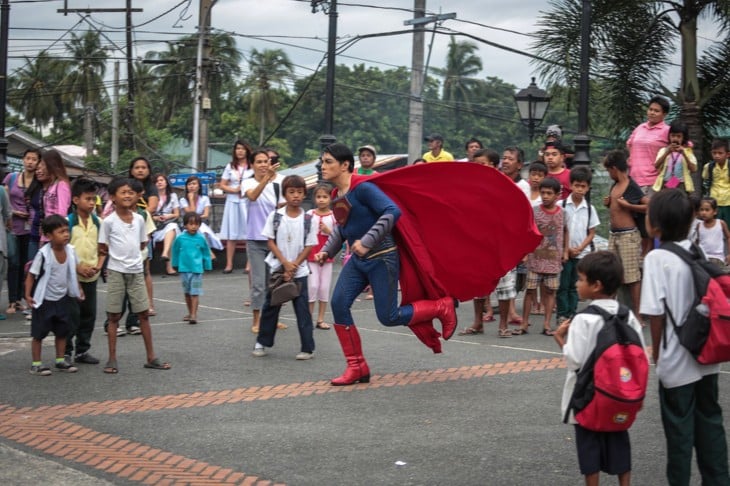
[(418, 74)]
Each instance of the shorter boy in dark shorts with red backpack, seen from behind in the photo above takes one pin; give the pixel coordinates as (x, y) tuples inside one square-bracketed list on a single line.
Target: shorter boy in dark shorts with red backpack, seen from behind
[(605, 329)]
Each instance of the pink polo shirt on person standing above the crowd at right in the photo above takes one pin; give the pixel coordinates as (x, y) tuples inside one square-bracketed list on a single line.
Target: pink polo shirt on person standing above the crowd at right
[(644, 144)]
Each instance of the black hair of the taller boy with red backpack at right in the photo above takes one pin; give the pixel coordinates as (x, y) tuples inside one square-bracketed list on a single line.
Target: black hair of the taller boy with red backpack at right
[(671, 213)]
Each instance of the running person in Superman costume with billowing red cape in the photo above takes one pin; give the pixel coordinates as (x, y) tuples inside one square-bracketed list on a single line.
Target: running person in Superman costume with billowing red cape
[(447, 231)]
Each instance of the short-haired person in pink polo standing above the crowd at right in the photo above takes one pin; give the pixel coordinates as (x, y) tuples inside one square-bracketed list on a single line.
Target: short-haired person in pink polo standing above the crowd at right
[(645, 142)]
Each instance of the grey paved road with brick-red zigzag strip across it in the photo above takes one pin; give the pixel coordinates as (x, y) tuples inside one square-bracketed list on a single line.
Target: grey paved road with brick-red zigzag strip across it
[(485, 412)]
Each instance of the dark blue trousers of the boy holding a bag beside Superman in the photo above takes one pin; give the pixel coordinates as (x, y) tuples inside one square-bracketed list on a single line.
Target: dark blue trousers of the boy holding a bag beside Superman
[(270, 317)]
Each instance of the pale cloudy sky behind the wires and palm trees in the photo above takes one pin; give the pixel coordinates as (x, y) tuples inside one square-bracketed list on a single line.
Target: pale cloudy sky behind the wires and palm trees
[(291, 25)]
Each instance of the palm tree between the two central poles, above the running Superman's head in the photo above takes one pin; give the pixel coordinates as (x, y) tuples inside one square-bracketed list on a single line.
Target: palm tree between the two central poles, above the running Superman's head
[(270, 67)]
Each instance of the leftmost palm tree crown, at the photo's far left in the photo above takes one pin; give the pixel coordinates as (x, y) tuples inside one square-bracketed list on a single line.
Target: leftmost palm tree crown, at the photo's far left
[(34, 90)]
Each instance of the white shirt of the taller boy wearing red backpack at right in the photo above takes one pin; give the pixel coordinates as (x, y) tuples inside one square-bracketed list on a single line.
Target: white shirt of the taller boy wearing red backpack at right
[(667, 279)]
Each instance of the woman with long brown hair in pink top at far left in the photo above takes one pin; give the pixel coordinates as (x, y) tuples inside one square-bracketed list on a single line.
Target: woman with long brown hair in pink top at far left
[(55, 189)]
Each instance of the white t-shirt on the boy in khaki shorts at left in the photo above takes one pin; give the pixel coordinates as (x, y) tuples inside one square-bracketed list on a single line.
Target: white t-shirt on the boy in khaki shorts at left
[(123, 240)]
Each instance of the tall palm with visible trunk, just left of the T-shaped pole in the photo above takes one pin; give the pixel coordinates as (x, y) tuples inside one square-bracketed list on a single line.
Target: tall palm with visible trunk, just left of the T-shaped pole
[(85, 78)]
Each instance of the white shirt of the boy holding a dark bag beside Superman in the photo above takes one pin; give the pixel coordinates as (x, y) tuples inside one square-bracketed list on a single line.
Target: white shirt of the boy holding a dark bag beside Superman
[(289, 239)]
